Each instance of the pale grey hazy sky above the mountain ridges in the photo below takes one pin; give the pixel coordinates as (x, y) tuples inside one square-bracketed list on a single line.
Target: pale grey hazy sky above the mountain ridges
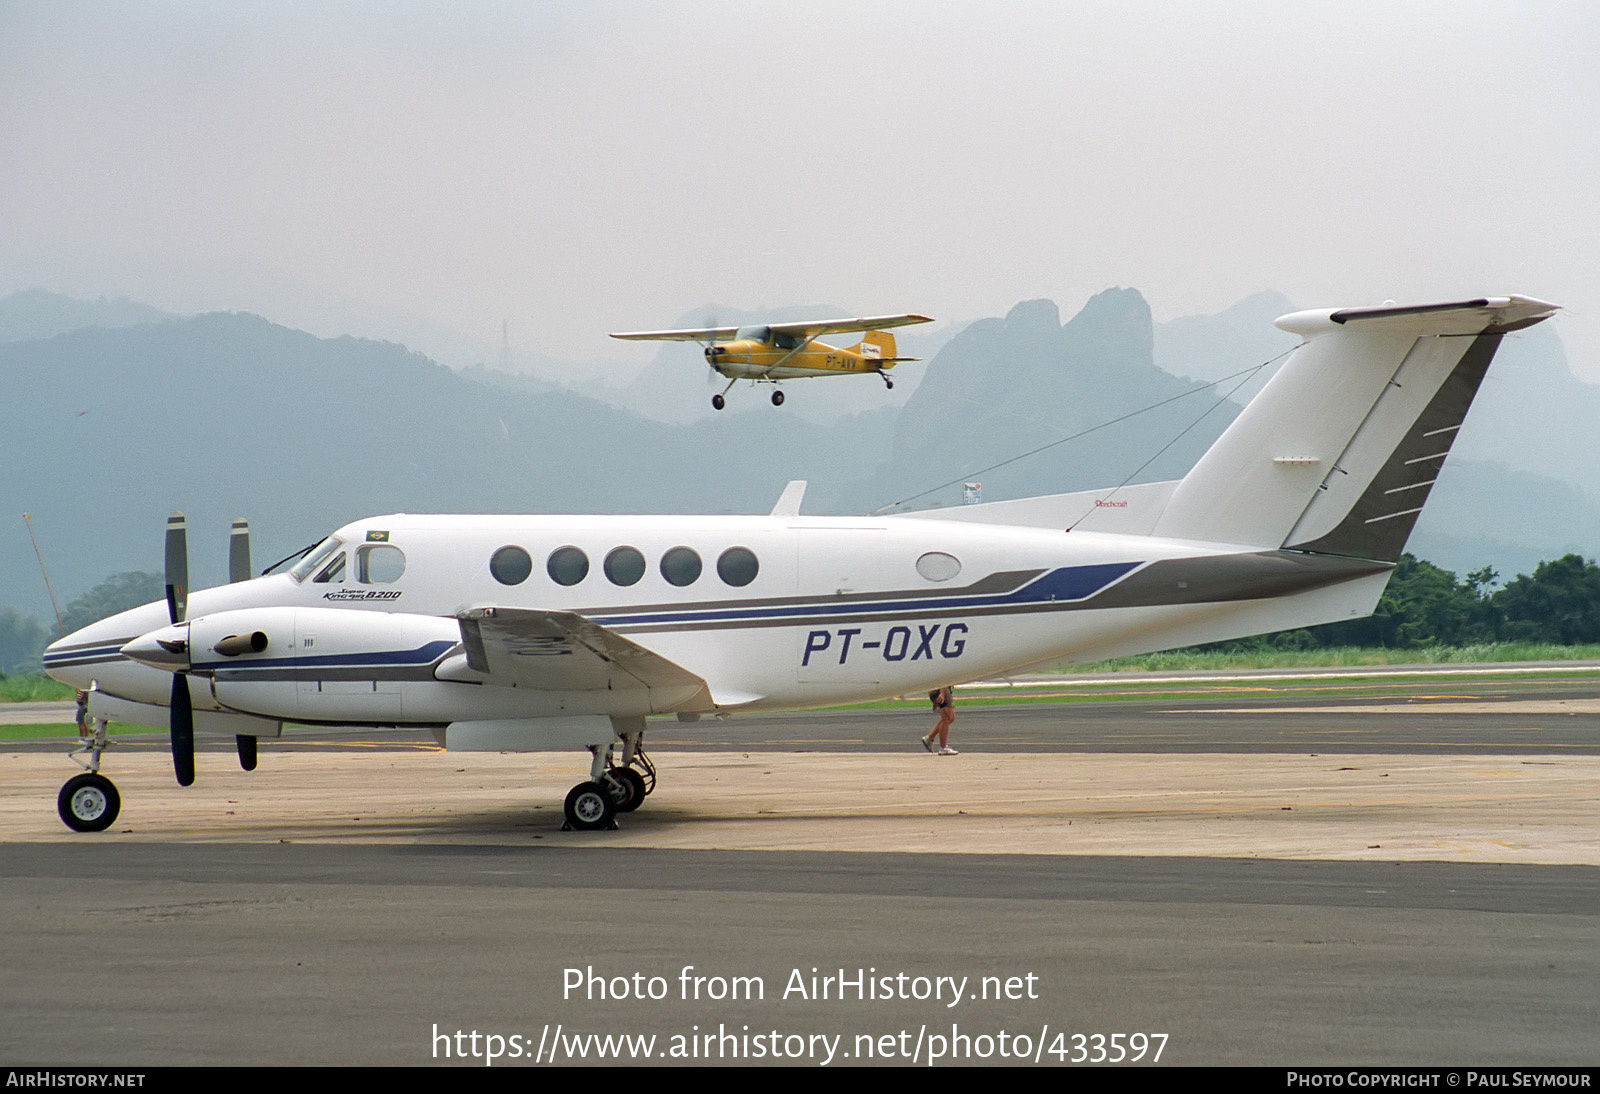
[(423, 172)]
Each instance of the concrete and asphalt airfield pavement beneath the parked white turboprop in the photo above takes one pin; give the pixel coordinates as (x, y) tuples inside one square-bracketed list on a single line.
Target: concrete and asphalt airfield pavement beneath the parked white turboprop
[(1430, 896)]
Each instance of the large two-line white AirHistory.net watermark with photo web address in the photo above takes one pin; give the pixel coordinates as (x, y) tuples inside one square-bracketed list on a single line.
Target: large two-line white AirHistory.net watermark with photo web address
[(710, 1039)]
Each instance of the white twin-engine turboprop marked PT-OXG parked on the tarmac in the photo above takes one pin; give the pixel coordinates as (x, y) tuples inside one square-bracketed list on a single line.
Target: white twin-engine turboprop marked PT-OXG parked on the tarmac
[(550, 633)]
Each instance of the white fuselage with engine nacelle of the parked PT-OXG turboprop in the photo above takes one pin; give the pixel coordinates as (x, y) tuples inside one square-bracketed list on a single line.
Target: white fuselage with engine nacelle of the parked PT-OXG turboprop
[(825, 612)]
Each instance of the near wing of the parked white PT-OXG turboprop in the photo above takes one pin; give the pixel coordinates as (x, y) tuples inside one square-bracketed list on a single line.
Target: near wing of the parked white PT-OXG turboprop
[(561, 652)]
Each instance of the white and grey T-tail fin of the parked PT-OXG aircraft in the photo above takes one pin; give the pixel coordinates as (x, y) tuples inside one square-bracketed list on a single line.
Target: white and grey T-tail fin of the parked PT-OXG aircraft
[(1338, 453)]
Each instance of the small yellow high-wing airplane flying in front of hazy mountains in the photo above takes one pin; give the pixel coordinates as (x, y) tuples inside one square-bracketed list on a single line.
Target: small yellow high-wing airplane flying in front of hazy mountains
[(790, 351)]
